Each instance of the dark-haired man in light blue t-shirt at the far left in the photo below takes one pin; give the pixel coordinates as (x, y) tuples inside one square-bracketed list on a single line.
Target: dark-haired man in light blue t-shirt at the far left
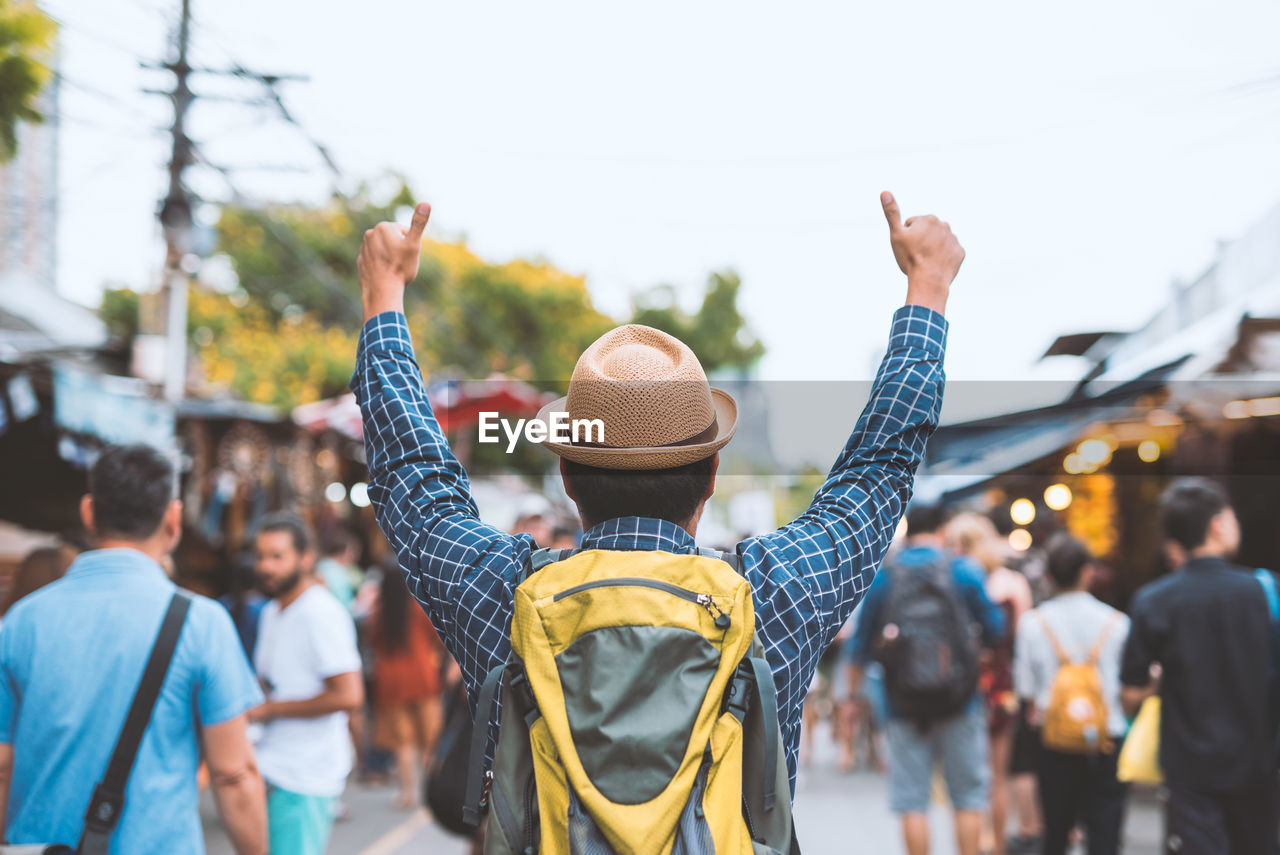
[(71, 659)]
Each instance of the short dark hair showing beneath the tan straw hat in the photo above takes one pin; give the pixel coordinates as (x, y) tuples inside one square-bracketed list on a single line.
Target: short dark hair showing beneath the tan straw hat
[(671, 495)]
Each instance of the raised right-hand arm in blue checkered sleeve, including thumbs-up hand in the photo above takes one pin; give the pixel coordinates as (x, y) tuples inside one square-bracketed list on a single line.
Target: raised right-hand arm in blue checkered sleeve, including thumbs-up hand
[(830, 555)]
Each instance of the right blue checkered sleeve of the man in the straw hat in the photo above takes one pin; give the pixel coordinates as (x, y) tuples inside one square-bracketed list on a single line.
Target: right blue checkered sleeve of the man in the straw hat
[(810, 575)]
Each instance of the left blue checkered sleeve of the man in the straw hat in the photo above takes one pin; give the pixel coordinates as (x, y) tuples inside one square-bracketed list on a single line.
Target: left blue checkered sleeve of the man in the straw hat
[(463, 571)]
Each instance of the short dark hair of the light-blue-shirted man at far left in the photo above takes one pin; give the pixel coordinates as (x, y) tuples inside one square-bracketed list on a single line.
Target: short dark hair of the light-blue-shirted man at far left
[(132, 487)]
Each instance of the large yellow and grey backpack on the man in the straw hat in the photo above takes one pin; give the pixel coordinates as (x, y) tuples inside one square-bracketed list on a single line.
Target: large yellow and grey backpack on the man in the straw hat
[(638, 715)]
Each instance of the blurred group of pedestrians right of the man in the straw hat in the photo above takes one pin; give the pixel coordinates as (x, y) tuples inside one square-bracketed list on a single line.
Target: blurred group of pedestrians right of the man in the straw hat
[(1032, 753)]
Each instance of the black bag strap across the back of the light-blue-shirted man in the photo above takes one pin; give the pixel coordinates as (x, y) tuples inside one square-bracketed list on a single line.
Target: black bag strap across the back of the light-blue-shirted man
[(108, 802)]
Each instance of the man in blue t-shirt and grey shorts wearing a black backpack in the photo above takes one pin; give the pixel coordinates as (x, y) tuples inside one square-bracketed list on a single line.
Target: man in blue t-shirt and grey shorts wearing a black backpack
[(958, 743)]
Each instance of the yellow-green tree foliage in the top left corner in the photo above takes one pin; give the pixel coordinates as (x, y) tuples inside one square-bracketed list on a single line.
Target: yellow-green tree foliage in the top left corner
[(26, 44)]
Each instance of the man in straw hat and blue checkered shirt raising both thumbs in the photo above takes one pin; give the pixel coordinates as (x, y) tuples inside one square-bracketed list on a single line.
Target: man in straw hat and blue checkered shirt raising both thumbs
[(647, 491)]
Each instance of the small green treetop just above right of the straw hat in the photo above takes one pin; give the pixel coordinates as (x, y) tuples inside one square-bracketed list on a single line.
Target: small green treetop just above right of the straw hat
[(717, 332)]
